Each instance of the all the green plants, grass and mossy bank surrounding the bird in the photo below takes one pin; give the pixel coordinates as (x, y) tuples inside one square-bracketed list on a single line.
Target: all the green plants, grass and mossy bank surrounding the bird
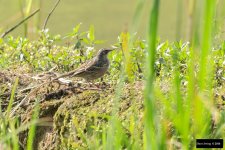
[(157, 95)]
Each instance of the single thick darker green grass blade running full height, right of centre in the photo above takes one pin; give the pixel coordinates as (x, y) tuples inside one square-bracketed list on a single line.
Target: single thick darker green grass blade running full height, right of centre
[(151, 120)]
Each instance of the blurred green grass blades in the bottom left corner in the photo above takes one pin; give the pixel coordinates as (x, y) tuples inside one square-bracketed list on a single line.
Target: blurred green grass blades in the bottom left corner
[(11, 127)]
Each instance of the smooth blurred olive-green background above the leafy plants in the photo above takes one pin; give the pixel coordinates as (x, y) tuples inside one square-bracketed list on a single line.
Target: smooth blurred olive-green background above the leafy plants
[(109, 18)]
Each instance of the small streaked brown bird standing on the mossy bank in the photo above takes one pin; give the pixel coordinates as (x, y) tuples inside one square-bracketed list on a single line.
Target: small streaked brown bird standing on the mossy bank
[(92, 69)]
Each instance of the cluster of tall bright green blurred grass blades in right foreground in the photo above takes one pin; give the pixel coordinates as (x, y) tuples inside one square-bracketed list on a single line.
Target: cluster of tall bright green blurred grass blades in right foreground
[(193, 113)]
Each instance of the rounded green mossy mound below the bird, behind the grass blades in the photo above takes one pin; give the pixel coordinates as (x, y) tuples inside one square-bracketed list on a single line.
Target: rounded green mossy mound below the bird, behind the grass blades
[(85, 115)]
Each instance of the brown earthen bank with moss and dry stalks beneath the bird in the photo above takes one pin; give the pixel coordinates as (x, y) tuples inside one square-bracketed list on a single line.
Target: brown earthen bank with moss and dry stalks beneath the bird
[(69, 114)]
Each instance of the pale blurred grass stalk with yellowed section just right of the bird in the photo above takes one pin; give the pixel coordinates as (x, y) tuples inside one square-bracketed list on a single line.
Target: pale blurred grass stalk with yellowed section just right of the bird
[(116, 137)]
